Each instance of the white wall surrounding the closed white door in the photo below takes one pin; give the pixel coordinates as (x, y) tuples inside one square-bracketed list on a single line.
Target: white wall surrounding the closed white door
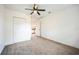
[(9, 25)]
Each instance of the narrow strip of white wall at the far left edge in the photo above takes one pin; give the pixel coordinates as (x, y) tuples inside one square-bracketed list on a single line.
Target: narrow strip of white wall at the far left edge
[(1, 28)]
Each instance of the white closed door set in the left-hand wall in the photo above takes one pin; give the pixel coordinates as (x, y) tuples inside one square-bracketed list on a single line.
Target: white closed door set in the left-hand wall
[(20, 30)]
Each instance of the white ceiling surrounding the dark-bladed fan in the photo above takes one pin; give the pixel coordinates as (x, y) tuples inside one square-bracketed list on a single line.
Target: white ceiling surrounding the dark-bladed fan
[(50, 8)]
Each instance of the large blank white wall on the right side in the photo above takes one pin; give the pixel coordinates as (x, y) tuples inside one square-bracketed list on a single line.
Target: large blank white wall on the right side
[(63, 26)]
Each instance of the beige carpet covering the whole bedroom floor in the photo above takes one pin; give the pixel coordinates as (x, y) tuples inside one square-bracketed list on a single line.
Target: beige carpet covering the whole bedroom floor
[(39, 46)]
